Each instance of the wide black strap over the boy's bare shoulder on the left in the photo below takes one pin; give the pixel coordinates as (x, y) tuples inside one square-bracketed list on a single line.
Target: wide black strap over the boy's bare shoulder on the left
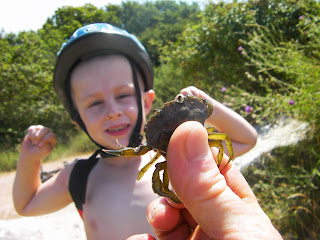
[(79, 178)]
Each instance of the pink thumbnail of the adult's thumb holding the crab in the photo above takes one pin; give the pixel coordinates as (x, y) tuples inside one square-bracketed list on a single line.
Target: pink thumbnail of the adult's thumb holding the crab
[(197, 145)]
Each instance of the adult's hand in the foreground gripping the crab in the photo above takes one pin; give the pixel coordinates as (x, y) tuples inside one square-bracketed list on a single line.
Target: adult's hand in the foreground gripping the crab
[(219, 203)]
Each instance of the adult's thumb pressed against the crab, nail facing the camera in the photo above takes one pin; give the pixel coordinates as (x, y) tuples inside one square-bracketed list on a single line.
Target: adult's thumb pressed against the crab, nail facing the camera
[(198, 182)]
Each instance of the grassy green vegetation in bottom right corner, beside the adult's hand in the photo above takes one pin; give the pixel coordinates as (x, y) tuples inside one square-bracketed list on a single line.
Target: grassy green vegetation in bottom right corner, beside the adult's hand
[(287, 185)]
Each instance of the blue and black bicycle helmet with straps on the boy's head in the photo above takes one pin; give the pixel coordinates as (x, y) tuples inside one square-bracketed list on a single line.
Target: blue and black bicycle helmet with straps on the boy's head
[(101, 39)]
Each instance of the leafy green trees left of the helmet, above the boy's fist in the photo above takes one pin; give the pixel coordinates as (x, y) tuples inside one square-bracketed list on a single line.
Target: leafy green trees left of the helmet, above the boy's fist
[(27, 96)]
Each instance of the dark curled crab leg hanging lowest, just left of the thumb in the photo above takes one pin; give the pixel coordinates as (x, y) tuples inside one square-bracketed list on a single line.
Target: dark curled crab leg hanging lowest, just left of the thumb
[(162, 188)]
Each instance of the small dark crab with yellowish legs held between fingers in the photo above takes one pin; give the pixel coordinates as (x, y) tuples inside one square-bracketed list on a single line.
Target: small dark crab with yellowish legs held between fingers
[(158, 131)]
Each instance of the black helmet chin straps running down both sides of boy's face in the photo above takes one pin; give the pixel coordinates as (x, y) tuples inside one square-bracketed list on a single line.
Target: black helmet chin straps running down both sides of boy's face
[(136, 137)]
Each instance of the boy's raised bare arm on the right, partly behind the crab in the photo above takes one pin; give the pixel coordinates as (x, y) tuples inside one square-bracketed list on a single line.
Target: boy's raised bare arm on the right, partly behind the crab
[(225, 120)]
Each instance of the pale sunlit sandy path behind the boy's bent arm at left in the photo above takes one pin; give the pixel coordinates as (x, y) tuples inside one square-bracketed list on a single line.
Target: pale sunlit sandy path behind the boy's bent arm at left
[(64, 224)]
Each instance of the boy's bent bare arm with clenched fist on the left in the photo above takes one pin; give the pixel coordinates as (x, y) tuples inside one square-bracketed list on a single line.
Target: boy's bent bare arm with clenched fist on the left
[(30, 196)]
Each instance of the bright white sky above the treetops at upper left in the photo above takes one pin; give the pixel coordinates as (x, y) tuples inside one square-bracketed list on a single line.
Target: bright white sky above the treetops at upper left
[(25, 15)]
